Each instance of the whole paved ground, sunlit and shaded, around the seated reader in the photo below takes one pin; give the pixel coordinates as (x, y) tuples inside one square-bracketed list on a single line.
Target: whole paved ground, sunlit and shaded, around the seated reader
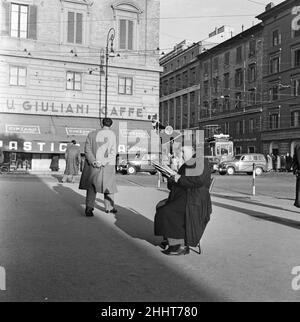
[(51, 252)]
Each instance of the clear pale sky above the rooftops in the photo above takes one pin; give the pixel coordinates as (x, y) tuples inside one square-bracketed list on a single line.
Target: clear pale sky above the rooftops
[(195, 19)]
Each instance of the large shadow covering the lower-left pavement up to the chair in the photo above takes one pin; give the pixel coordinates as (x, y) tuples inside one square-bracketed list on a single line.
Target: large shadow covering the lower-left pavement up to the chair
[(53, 252)]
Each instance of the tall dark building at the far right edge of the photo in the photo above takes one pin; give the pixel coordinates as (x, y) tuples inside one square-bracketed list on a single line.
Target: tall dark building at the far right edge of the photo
[(281, 34)]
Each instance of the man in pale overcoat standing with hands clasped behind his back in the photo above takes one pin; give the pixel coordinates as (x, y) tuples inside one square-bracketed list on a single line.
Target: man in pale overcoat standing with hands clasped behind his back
[(99, 172)]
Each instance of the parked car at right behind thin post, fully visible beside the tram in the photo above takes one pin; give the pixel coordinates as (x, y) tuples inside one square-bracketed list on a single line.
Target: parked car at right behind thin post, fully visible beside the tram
[(243, 163)]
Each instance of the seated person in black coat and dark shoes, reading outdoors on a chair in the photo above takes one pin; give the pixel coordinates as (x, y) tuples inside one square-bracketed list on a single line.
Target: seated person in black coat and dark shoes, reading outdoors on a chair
[(183, 218)]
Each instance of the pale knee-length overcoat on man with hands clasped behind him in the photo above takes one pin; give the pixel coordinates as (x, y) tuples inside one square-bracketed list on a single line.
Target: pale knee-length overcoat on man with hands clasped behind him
[(100, 146)]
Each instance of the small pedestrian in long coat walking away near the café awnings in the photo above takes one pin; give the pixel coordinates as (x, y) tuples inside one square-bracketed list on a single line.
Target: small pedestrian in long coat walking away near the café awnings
[(73, 158)]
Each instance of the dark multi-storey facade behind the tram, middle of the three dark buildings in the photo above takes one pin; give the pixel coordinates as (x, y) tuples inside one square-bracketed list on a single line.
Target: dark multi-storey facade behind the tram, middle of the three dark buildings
[(231, 89)]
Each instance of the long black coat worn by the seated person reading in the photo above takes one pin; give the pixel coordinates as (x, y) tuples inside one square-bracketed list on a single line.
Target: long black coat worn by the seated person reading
[(188, 209)]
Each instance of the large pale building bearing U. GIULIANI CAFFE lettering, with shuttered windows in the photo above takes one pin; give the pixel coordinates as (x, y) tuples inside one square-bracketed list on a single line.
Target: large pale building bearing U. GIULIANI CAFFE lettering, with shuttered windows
[(52, 80)]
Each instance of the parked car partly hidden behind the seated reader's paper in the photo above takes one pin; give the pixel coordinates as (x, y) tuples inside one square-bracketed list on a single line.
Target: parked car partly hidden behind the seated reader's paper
[(138, 163)]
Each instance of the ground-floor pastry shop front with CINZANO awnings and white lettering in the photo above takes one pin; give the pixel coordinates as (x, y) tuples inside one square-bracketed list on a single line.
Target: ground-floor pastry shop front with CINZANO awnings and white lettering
[(30, 142)]
